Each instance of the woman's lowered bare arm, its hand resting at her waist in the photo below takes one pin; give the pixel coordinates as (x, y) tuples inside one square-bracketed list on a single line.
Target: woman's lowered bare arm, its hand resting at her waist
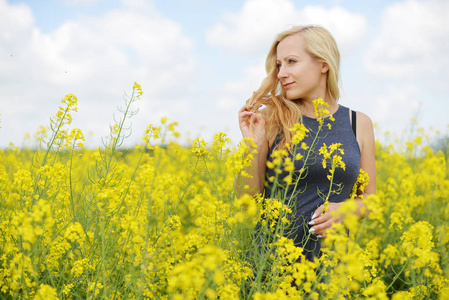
[(365, 138)]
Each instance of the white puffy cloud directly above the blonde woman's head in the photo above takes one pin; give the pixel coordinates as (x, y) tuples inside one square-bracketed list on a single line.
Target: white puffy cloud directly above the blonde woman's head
[(252, 30)]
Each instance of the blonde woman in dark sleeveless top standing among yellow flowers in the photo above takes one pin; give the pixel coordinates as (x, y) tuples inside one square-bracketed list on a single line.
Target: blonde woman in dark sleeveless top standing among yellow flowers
[(303, 65)]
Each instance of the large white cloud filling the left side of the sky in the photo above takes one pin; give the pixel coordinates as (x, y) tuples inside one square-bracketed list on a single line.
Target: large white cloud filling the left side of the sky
[(95, 58)]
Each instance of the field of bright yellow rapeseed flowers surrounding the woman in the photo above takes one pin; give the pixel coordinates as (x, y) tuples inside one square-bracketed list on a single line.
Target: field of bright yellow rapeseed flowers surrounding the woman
[(164, 223)]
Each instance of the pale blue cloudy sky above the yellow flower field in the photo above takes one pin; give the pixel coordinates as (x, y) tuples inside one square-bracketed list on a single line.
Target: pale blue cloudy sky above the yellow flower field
[(198, 61)]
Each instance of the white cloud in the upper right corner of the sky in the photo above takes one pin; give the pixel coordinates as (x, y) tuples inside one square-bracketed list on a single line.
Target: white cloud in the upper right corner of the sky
[(413, 41)]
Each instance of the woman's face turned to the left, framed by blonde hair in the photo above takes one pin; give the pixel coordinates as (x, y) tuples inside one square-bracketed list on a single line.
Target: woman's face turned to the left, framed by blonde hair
[(301, 76)]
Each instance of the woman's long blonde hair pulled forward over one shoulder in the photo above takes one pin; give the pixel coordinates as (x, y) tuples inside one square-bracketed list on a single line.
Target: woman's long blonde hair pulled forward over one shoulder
[(282, 113)]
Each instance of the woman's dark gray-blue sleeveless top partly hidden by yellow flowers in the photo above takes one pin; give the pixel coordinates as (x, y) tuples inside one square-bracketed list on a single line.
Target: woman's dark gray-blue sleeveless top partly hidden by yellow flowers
[(304, 198)]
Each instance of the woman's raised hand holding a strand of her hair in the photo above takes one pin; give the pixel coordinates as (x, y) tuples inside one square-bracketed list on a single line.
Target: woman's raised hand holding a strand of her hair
[(252, 124)]
